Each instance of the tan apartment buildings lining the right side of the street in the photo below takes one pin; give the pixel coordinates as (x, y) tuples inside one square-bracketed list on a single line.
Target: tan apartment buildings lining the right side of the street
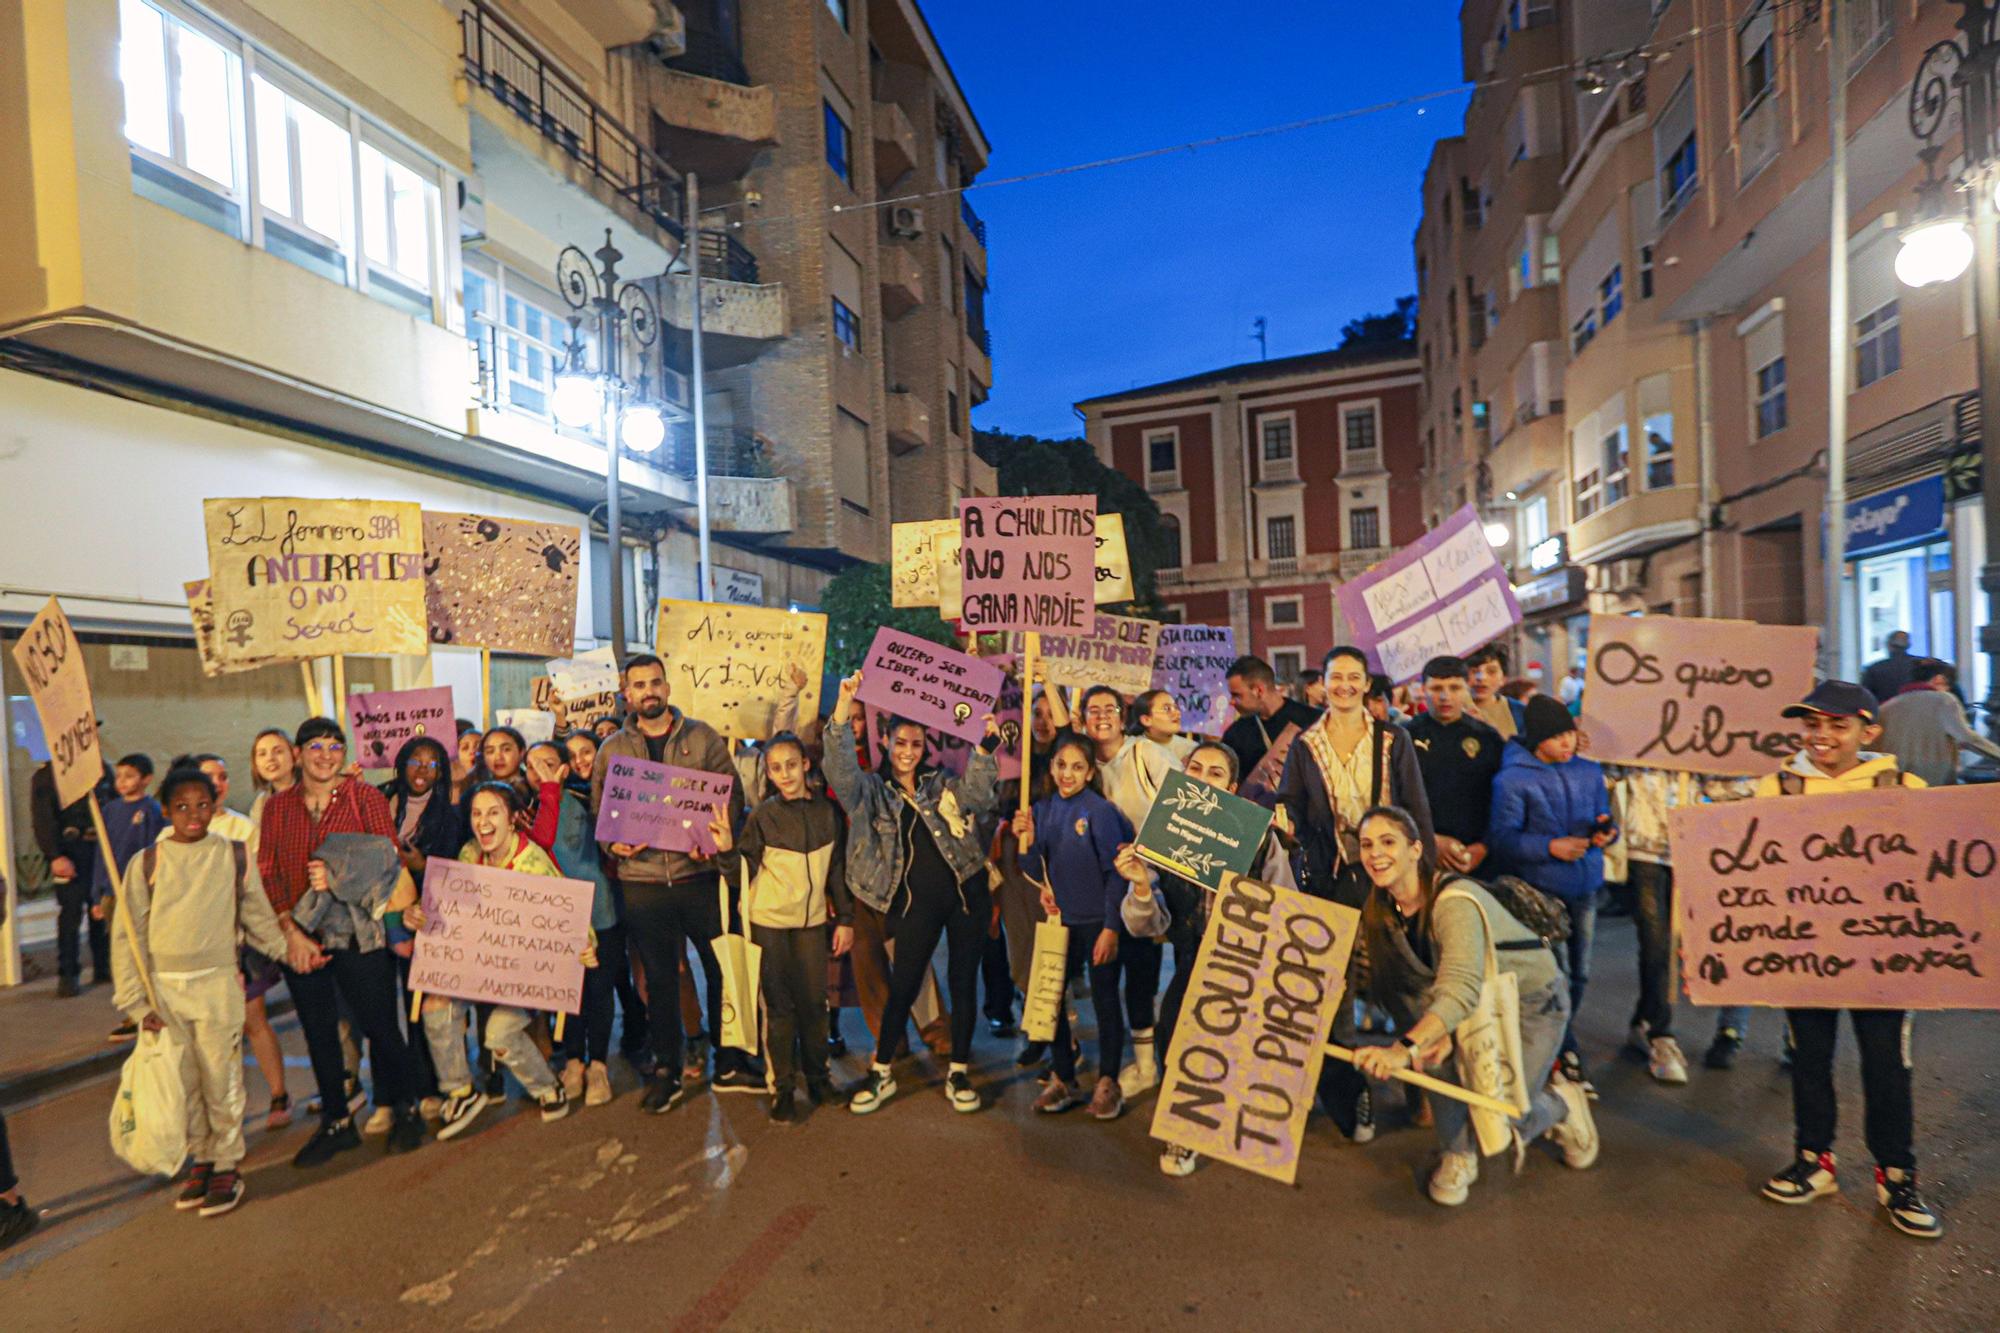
[(1675, 449)]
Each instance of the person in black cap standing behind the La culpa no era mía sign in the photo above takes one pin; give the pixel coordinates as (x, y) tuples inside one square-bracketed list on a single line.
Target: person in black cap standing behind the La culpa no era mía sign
[(1841, 722)]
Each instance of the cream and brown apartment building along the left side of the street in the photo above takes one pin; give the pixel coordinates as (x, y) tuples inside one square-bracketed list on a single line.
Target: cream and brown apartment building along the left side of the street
[(263, 247)]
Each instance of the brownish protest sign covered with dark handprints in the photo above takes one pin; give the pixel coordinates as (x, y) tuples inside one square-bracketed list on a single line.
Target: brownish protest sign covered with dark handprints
[(501, 583)]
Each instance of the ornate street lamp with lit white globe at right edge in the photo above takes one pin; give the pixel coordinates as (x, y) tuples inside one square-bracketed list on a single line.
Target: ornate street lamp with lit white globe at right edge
[(1939, 247)]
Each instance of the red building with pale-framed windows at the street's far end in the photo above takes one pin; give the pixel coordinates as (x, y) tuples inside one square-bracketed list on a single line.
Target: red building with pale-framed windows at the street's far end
[(1277, 481)]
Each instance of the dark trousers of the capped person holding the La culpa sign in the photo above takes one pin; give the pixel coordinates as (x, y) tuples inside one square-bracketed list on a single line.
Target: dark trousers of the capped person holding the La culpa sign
[(1889, 1118)]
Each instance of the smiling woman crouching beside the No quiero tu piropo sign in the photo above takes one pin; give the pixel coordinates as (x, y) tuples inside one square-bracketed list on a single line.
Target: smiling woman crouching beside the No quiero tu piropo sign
[(1425, 952)]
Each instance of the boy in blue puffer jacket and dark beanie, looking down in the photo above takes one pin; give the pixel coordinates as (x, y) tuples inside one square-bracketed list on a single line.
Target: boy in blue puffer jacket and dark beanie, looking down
[(1551, 824)]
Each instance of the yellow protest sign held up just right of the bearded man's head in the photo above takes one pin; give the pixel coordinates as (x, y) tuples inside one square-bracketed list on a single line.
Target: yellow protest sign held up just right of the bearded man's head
[(733, 665)]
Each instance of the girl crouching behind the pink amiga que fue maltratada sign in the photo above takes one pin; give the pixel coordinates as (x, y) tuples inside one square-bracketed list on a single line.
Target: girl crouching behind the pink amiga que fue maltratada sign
[(499, 844)]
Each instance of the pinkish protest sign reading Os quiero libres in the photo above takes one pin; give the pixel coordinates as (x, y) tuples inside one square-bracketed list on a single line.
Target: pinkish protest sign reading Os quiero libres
[(1695, 696)]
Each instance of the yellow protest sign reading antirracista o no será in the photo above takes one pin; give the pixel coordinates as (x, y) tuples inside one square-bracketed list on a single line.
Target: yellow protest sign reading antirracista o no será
[(295, 577)]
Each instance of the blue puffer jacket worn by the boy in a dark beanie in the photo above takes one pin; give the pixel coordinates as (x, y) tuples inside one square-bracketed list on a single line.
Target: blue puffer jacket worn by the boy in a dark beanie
[(1535, 804)]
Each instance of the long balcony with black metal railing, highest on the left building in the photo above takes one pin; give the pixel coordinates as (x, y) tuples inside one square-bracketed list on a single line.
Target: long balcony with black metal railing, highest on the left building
[(509, 67)]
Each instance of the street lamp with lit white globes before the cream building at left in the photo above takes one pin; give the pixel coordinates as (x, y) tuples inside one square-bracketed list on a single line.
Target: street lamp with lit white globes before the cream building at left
[(623, 411)]
